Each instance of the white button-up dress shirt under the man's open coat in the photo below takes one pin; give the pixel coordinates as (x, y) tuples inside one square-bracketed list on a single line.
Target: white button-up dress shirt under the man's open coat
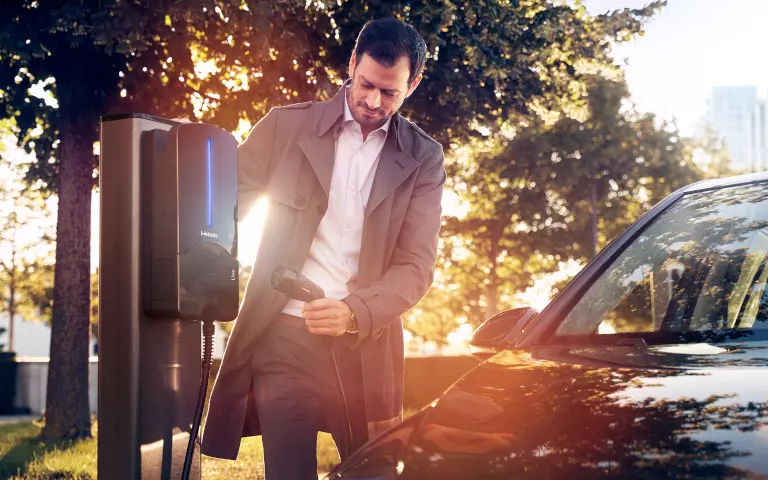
[(333, 257)]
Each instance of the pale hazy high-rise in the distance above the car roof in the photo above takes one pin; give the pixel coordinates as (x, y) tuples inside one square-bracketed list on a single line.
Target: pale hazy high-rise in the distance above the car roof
[(741, 117)]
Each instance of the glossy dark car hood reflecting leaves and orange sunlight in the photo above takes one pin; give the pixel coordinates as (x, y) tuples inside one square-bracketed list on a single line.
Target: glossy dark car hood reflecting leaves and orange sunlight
[(675, 411)]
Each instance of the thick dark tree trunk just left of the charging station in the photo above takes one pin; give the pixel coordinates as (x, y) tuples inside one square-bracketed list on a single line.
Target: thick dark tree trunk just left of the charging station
[(67, 409)]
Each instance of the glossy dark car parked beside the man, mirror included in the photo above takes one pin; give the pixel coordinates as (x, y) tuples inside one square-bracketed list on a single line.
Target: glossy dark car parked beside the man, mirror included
[(652, 363)]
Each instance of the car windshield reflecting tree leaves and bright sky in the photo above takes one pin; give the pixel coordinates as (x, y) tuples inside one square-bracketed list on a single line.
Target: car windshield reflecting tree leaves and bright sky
[(699, 266)]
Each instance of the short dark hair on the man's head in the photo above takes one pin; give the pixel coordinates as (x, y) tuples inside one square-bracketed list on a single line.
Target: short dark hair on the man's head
[(387, 39)]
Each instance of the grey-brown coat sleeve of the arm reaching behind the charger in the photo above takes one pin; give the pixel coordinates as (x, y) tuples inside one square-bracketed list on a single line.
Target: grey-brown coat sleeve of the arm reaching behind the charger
[(254, 157)]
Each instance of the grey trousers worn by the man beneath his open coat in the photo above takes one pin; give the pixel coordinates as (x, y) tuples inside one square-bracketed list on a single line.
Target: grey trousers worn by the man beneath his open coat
[(297, 395)]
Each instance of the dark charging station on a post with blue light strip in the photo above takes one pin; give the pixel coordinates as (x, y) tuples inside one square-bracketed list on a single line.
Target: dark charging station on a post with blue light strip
[(168, 267)]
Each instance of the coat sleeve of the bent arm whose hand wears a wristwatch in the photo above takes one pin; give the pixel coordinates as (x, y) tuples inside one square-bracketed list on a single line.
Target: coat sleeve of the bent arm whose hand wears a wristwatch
[(411, 269)]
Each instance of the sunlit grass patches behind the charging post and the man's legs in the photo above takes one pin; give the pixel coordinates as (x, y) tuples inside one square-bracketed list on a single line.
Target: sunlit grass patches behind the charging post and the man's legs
[(24, 456)]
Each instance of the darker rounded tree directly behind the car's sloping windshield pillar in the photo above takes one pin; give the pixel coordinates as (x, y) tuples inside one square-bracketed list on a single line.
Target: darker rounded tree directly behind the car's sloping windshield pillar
[(614, 164)]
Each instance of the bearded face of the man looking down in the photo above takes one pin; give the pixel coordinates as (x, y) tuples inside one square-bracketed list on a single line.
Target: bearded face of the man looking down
[(377, 92)]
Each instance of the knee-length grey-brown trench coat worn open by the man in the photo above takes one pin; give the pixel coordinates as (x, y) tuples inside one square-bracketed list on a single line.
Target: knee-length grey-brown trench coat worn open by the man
[(289, 157)]
